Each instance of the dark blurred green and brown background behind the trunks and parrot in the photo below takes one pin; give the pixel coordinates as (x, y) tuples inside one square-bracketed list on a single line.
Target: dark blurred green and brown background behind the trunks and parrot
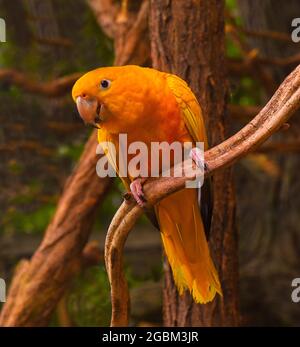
[(42, 137)]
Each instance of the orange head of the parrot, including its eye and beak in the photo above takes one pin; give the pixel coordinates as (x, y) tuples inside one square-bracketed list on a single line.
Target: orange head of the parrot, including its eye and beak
[(113, 97)]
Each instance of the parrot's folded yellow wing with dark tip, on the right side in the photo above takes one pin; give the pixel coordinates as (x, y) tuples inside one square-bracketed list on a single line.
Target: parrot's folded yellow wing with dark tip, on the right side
[(192, 115)]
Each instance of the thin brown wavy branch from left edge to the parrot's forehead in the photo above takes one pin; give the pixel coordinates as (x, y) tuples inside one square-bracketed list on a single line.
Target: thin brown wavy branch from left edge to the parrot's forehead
[(57, 87)]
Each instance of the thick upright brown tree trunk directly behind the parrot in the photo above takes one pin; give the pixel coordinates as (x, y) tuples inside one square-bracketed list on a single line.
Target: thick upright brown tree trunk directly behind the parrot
[(187, 39)]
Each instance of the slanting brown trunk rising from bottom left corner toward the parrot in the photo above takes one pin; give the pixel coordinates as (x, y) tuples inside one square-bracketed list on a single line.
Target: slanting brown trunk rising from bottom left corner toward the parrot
[(39, 283)]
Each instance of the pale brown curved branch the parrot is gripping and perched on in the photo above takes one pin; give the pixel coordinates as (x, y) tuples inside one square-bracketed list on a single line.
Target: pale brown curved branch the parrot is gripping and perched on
[(282, 105)]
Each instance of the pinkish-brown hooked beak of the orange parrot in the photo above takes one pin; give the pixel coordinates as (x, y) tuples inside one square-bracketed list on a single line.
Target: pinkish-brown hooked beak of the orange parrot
[(89, 110)]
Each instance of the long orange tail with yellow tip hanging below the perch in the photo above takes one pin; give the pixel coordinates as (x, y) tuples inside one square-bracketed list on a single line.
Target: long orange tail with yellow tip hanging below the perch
[(186, 247)]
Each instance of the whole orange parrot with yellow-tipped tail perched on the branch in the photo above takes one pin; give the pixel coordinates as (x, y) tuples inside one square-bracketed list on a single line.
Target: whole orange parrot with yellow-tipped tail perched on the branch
[(153, 106)]
